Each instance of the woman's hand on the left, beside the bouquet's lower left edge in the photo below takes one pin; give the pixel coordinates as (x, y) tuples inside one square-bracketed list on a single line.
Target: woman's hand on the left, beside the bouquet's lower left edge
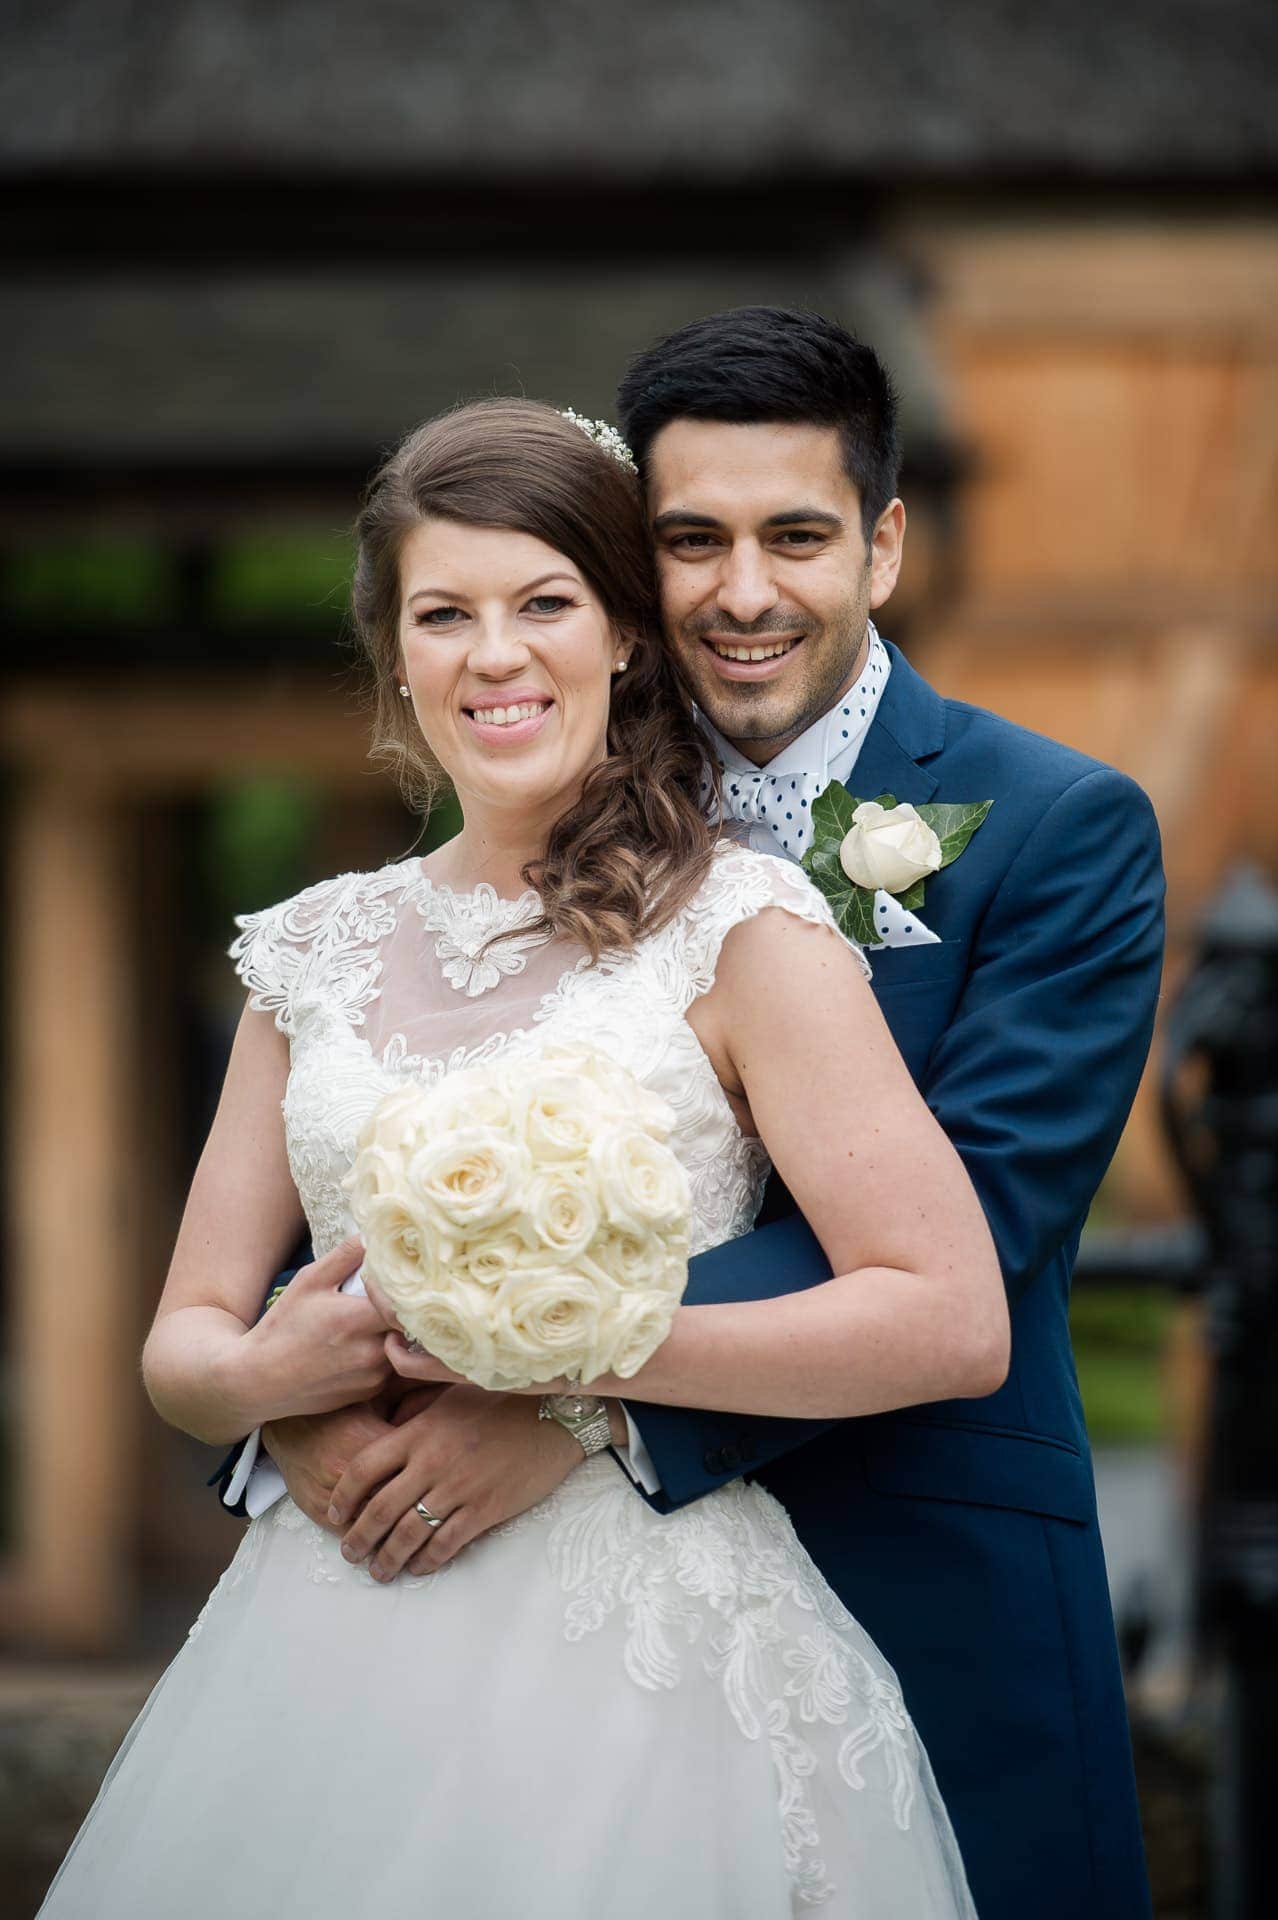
[(318, 1349)]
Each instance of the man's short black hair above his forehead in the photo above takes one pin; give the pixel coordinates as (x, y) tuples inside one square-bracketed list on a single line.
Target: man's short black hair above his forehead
[(765, 366)]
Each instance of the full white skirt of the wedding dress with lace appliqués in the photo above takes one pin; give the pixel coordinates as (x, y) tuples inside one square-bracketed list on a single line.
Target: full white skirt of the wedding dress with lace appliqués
[(594, 1712)]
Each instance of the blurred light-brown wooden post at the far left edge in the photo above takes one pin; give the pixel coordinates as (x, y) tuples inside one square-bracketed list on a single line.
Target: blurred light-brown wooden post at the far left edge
[(70, 1182)]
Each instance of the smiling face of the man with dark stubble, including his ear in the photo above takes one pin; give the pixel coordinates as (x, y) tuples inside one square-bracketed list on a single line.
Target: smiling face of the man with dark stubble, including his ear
[(765, 573)]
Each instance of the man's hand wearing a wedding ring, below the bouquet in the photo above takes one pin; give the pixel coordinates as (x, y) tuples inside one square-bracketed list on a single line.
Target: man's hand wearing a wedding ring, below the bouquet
[(473, 1458)]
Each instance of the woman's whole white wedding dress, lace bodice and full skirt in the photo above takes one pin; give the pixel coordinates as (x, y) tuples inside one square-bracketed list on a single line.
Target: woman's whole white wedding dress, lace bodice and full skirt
[(596, 1710)]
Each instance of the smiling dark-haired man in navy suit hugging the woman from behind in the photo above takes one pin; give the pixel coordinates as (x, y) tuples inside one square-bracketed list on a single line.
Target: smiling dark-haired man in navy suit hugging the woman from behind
[(962, 1535)]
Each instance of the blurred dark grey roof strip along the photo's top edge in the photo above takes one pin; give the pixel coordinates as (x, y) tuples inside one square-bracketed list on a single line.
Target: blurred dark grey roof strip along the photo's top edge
[(655, 89)]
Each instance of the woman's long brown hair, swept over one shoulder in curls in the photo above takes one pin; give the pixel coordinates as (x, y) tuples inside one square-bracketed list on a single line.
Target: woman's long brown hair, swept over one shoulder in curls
[(636, 846)]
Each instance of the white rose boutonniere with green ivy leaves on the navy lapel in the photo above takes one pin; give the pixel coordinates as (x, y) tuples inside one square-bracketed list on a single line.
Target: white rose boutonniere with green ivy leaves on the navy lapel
[(866, 848)]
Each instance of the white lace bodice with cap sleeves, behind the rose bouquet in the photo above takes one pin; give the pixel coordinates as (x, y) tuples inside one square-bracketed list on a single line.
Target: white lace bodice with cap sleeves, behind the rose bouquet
[(379, 978)]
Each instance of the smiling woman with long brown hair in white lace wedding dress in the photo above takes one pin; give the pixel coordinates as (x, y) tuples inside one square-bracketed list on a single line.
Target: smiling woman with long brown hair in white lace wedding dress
[(592, 1710)]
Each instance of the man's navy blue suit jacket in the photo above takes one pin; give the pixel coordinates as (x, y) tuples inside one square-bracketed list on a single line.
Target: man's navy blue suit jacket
[(964, 1535)]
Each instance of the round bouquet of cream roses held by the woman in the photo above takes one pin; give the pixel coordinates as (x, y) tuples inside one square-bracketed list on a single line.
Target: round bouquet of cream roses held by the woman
[(527, 1218)]
